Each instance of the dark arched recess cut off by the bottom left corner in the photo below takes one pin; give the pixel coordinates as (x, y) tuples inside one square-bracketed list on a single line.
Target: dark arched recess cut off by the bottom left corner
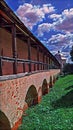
[(4, 122)]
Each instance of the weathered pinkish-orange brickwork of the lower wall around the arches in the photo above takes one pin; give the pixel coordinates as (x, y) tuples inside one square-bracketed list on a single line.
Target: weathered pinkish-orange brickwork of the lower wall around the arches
[(13, 93)]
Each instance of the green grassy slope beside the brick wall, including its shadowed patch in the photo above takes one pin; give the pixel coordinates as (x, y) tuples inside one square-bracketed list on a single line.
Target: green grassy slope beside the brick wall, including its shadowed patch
[(55, 112)]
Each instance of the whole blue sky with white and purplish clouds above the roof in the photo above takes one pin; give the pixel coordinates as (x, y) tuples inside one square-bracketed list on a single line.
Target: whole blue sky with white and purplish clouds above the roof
[(51, 21)]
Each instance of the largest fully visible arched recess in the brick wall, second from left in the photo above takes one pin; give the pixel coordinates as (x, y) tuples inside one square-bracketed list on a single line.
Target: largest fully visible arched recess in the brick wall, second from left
[(31, 96)]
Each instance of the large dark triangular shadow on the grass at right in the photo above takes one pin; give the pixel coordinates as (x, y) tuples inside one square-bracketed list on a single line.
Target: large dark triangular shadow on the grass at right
[(65, 101)]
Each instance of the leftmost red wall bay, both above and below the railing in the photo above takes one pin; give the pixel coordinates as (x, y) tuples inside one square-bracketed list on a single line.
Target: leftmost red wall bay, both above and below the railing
[(6, 50)]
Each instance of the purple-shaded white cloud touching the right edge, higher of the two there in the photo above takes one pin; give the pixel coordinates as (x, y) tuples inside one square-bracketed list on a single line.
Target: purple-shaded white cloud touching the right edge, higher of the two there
[(65, 22)]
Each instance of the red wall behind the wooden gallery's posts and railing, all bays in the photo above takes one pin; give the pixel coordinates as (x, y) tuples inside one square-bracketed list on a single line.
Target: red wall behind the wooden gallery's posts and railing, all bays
[(22, 53)]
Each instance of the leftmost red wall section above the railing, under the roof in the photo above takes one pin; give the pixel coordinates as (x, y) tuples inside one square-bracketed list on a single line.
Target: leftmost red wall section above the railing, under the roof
[(5, 43)]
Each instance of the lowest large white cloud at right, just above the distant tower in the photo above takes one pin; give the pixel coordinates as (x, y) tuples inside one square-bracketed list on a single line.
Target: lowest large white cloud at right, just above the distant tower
[(62, 42)]
